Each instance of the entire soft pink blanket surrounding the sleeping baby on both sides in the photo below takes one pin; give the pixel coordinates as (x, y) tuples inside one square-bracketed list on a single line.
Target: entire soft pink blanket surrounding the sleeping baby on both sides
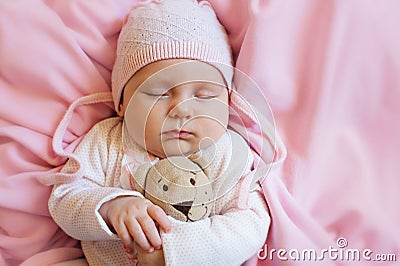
[(329, 69)]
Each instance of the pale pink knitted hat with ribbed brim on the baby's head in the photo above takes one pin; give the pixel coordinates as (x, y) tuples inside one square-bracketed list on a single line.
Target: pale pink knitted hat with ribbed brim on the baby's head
[(167, 29)]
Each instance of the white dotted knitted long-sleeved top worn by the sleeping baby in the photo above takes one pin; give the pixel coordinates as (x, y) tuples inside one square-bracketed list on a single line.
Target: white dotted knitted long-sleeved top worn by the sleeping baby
[(233, 233)]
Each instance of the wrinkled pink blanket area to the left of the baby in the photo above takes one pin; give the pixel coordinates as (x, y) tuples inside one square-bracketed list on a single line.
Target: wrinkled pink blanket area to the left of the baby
[(51, 53)]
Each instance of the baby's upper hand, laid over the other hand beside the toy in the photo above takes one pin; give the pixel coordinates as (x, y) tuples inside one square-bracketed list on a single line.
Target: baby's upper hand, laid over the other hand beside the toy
[(133, 219)]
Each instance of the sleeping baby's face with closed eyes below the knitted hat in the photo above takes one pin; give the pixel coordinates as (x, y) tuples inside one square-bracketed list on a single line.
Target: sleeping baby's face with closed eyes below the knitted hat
[(176, 107)]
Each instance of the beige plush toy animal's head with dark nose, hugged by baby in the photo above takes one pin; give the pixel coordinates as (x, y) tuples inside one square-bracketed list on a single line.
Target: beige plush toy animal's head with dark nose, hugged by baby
[(178, 185)]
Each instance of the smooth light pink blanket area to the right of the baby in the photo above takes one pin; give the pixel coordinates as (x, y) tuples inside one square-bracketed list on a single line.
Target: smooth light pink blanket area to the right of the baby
[(329, 70)]
